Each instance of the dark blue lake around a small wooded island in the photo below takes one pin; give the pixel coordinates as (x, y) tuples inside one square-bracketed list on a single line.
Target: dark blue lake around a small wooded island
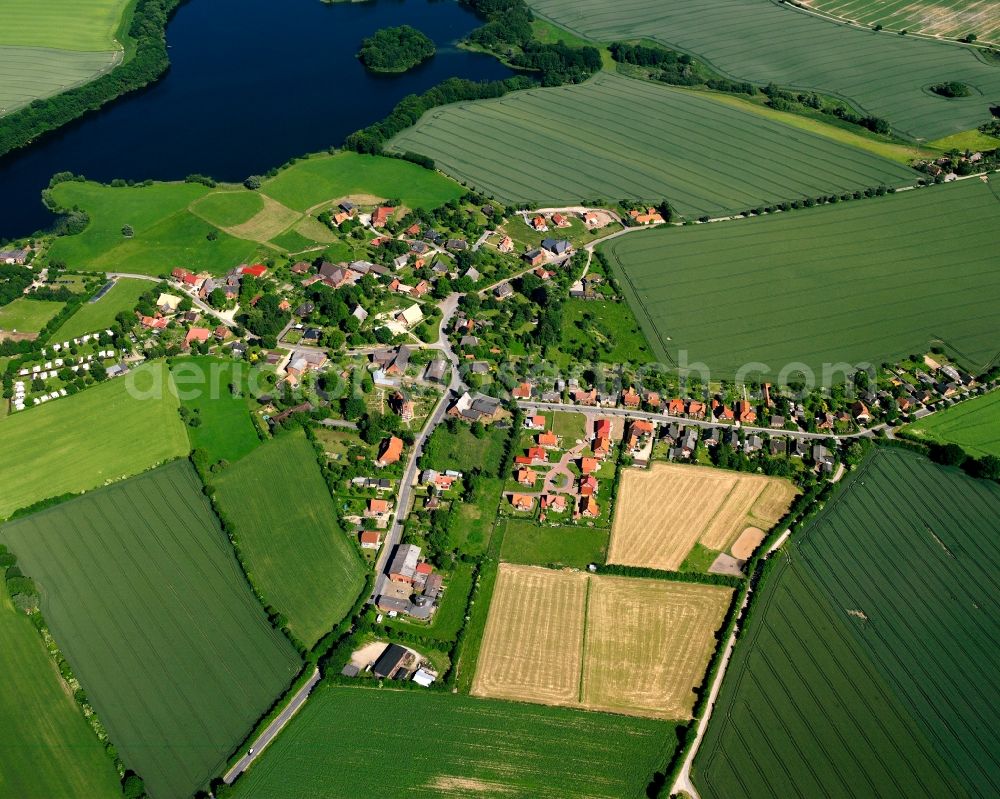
[(251, 84)]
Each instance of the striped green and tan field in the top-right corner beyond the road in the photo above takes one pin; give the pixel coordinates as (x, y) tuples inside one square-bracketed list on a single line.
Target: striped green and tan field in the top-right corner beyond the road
[(952, 19)]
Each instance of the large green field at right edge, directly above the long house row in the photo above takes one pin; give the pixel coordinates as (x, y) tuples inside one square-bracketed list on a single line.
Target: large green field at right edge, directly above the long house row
[(862, 281)]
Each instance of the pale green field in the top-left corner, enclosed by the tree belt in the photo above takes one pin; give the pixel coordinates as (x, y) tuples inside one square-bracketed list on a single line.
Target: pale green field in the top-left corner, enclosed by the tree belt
[(51, 46)]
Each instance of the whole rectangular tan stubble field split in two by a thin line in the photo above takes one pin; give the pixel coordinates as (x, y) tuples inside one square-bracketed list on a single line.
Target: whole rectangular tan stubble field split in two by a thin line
[(638, 647)]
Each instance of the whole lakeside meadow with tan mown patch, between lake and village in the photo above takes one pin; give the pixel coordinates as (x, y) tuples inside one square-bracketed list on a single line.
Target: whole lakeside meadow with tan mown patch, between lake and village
[(172, 222)]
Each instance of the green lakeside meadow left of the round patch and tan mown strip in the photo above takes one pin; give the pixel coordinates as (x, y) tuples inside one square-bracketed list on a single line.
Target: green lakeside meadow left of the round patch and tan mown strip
[(166, 234)]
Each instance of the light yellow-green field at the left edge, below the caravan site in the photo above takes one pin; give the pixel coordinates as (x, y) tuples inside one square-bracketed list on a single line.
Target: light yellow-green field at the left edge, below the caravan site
[(81, 442)]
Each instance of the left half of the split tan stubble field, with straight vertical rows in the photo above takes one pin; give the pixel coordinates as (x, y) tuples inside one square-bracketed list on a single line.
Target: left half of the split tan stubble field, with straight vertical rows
[(534, 636)]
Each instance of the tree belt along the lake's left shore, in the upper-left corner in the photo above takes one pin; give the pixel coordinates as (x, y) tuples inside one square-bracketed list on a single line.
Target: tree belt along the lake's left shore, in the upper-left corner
[(147, 63)]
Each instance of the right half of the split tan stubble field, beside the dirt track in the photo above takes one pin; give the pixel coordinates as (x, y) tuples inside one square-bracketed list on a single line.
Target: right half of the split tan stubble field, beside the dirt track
[(648, 643)]
